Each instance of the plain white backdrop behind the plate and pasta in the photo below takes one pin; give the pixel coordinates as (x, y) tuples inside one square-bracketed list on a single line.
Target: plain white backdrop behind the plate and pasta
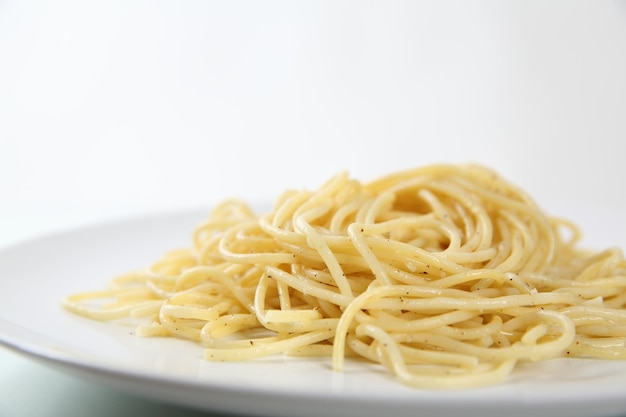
[(130, 107)]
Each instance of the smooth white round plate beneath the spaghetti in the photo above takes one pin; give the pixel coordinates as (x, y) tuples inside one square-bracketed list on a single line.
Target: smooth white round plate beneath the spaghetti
[(37, 274)]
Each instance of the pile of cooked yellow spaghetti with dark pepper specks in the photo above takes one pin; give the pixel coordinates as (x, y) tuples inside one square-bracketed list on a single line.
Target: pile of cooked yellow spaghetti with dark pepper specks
[(447, 275)]
